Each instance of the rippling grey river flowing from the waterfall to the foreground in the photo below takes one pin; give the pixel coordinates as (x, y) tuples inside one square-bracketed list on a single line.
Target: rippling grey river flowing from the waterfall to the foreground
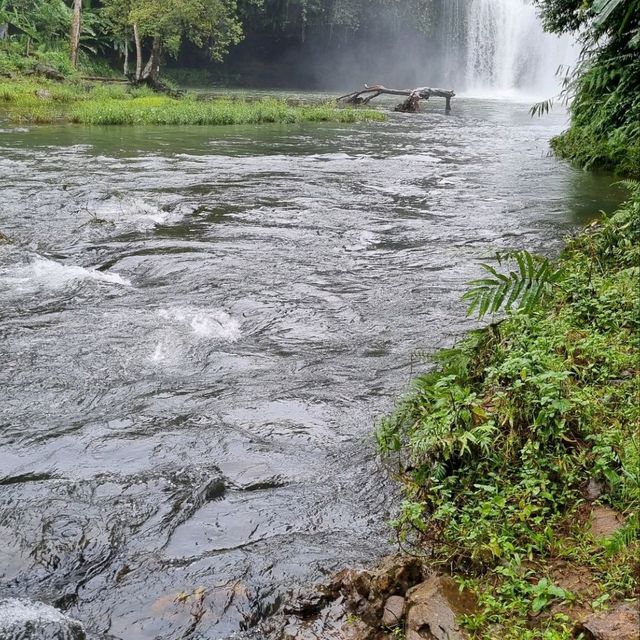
[(200, 327)]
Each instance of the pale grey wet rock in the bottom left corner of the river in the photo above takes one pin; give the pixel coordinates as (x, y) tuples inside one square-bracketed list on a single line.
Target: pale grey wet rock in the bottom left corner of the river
[(26, 620)]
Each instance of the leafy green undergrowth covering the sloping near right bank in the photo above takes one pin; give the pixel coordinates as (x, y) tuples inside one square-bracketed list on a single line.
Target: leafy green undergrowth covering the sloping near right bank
[(498, 443)]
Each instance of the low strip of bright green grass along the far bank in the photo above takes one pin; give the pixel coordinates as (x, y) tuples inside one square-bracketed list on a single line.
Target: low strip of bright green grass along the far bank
[(43, 102)]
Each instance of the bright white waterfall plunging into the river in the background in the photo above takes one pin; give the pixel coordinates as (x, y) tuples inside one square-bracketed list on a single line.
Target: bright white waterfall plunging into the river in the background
[(507, 50)]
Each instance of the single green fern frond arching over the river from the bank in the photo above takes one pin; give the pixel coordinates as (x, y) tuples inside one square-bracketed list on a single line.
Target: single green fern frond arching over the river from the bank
[(523, 288)]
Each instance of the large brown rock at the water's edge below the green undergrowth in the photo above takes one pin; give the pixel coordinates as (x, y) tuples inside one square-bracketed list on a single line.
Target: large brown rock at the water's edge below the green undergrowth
[(433, 609)]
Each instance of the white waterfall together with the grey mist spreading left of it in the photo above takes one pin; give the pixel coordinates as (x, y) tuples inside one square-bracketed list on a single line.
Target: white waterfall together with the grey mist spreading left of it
[(486, 48)]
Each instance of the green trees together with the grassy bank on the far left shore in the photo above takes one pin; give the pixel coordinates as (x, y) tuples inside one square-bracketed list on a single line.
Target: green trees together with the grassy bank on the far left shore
[(43, 42)]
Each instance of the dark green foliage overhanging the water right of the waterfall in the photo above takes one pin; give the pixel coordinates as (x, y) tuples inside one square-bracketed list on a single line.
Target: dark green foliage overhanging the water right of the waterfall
[(605, 87)]
